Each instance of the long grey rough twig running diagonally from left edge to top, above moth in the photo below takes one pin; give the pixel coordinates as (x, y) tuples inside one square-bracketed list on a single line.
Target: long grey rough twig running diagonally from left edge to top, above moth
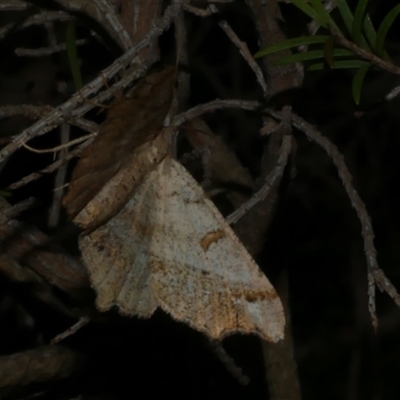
[(57, 116)]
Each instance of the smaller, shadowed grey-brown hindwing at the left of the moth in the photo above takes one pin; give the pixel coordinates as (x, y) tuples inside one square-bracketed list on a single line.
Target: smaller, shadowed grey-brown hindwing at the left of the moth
[(117, 256)]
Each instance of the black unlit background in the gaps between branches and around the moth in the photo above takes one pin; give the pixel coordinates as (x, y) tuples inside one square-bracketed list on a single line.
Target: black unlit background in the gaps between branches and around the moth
[(315, 233)]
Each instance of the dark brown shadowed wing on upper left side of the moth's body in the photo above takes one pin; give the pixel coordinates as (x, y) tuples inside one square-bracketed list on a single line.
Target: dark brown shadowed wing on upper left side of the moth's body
[(130, 123)]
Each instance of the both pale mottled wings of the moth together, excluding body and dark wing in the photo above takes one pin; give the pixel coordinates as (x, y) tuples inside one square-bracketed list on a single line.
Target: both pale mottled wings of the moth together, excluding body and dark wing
[(171, 248)]
